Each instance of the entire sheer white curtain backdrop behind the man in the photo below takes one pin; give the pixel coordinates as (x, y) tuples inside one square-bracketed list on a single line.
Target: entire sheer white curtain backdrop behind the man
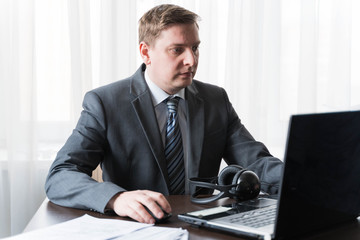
[(275, 58)]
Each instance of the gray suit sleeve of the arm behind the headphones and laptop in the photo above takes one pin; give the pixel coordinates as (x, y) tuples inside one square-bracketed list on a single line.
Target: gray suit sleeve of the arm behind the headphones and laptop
[(242, 149)]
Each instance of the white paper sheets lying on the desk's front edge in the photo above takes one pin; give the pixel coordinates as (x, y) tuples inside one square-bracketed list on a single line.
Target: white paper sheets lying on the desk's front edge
[(91, 228)]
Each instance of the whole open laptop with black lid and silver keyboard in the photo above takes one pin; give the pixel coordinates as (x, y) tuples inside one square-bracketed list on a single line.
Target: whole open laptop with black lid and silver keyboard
[(320, 186)]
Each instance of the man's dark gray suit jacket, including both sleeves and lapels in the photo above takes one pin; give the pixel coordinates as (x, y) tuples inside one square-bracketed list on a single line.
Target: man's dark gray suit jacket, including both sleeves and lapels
[(118, 129)]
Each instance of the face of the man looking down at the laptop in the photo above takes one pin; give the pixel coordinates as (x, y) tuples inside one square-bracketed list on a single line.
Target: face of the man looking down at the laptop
[(173, 57)]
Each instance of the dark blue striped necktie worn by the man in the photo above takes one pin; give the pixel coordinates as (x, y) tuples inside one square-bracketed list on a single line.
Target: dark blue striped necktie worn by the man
[(174, 152)]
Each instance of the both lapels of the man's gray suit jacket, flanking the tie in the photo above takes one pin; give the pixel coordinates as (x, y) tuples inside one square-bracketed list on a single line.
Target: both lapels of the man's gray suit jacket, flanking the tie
[(142, 104)]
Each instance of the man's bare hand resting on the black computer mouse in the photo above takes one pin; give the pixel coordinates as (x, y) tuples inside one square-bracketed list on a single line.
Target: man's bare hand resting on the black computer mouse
[(131, 204)]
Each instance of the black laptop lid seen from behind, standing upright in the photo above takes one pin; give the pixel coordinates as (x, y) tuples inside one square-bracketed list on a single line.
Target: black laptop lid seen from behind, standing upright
[(321, 182)]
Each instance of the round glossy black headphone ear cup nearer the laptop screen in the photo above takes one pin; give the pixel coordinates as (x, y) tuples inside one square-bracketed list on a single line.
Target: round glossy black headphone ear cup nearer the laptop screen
[(247, 185)]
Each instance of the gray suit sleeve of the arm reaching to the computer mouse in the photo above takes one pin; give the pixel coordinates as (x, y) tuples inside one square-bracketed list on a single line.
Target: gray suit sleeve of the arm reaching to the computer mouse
[(69, 181)]
